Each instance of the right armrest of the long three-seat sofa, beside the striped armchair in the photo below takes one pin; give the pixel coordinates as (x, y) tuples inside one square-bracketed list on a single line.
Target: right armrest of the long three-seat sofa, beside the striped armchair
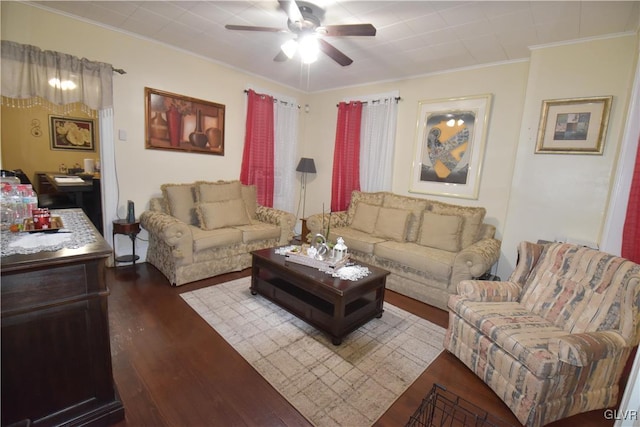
[(474, 261)]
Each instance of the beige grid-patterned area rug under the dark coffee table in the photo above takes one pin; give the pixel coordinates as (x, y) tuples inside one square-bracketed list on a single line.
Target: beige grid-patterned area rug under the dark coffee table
[(352, 384)]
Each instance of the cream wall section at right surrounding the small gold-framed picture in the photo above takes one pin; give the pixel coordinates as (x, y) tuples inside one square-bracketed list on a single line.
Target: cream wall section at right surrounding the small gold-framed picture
[(565, 197)]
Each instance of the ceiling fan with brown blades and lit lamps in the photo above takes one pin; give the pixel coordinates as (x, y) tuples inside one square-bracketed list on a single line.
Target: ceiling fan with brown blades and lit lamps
[(305, 21)]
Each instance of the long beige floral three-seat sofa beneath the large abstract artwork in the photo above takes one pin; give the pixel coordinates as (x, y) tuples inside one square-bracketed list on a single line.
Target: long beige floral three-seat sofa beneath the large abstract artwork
[(428, 246)]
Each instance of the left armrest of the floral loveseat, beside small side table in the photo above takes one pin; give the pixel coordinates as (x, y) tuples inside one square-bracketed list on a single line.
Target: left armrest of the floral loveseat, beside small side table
[(171, 231)]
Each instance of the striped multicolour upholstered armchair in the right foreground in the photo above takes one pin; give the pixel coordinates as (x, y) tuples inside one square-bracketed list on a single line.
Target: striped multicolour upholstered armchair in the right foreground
[(553, 340)]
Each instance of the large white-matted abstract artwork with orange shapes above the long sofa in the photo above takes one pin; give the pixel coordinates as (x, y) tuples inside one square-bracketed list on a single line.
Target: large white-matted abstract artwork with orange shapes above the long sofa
[(449, 146)]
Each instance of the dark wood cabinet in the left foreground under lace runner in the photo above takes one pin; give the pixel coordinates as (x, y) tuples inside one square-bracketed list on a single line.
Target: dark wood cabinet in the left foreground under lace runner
[(56, 354)]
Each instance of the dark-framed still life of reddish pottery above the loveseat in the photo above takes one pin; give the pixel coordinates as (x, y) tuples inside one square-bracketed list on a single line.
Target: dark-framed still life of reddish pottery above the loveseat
[(180, 123)]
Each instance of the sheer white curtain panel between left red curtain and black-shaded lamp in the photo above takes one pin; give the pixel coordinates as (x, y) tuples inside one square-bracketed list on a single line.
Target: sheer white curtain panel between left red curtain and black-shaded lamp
[(285, 155)]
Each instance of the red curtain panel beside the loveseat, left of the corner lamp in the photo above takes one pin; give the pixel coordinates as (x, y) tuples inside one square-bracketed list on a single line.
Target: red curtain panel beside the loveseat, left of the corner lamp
[(257, 157)]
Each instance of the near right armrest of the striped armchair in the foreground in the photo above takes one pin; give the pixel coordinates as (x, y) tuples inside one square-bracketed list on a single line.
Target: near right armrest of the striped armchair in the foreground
[(584, 348)]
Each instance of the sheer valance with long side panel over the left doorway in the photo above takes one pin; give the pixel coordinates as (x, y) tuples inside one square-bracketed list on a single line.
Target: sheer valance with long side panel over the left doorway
[(32, 76)]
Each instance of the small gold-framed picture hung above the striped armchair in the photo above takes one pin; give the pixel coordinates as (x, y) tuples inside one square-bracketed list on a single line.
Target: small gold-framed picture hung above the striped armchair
[(573, 125)]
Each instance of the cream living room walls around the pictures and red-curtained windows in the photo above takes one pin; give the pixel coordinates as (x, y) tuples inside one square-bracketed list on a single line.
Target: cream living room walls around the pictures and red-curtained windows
[(515, 200)]
